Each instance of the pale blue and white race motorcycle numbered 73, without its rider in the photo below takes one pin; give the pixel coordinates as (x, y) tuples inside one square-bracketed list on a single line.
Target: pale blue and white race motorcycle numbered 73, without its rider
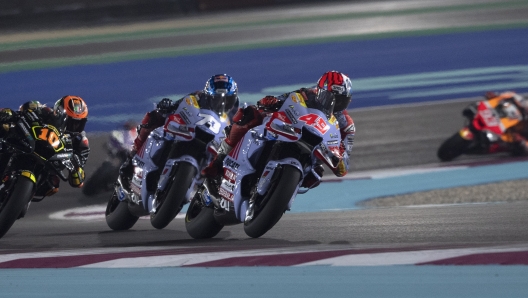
[(167, 167)]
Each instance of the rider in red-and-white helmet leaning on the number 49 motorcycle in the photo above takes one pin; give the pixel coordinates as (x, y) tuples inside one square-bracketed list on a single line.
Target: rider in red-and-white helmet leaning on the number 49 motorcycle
[(332, 93)]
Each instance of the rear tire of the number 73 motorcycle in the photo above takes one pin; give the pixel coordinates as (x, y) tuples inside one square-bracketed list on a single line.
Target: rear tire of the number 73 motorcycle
[(117, 215)]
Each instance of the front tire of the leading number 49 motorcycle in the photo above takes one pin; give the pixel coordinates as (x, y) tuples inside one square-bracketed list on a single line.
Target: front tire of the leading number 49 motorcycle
[(275, 202)]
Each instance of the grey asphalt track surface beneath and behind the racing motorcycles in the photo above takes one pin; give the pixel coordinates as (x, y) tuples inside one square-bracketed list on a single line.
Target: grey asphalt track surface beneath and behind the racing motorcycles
[(441, 226)]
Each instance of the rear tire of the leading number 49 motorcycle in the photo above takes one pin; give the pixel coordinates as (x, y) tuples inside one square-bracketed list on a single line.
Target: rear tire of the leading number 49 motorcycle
[(199, 220)]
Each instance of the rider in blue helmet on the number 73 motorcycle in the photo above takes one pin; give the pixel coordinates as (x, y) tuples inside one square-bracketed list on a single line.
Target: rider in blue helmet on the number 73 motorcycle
[(219, 89)]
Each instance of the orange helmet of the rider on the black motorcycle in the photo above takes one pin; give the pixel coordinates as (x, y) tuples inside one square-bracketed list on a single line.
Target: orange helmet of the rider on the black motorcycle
[(71, 112)]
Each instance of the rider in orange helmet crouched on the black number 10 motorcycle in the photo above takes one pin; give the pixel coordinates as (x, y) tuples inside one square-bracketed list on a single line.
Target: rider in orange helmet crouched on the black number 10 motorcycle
[(69, 115)]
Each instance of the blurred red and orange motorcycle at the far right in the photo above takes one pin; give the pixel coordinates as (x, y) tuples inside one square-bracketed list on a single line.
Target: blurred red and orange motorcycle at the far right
[(488, 123)]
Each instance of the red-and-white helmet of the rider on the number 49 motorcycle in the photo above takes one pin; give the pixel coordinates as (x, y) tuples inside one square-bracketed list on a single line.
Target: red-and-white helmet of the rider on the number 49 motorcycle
[(337, 84)]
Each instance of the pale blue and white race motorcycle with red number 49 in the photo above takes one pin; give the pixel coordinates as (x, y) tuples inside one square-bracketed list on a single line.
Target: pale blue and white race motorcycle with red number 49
[(263, 174)]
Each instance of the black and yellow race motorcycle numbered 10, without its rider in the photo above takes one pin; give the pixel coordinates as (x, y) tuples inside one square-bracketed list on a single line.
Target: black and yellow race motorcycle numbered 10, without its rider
[(32, 155)]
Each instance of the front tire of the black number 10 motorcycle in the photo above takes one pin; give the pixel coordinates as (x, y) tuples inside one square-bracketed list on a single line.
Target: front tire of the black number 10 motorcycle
[(13, 205)]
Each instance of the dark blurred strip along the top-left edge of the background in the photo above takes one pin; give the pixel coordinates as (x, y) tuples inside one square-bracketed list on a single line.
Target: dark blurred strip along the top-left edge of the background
[(34, 14)]
